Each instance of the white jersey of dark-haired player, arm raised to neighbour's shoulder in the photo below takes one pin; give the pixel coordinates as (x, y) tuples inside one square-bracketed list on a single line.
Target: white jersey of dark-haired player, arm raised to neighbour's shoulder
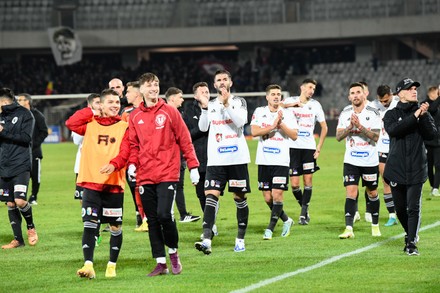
[(306, 116)]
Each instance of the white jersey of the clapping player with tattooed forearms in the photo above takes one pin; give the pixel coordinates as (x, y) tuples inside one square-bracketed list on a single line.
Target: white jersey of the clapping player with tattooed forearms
[(359, 150)]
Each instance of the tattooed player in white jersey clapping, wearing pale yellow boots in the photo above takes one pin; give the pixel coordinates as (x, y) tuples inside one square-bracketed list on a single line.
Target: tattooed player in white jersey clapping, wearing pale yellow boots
[(360, 126)]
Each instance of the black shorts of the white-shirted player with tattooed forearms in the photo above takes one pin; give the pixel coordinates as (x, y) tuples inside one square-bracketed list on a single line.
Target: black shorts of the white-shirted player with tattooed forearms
[(370, 176)]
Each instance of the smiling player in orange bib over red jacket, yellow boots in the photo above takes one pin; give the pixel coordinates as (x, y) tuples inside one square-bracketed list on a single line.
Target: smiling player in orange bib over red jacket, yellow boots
[(105, 136)]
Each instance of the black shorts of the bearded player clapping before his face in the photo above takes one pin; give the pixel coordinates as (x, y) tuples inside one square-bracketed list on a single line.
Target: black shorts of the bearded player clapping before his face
[(237, 177)]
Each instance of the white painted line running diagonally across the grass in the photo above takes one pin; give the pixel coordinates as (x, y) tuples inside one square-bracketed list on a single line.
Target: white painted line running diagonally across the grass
[(325, 262)]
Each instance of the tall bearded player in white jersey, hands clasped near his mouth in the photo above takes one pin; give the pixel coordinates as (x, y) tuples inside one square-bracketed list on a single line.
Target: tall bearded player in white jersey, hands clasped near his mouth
[(228, 156)]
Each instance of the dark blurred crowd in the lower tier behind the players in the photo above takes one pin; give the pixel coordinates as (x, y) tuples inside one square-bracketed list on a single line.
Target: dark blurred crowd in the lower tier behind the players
[(250, 72)]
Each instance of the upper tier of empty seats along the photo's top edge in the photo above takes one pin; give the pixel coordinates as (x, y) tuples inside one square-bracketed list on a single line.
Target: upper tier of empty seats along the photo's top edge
[(25, 15)]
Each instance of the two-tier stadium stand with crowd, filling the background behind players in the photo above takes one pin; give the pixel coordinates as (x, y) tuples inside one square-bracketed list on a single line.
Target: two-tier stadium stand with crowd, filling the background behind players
[(334, 62)]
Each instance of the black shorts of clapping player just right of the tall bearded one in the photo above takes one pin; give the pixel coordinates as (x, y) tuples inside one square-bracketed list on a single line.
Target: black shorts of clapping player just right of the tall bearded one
[(273, 177)]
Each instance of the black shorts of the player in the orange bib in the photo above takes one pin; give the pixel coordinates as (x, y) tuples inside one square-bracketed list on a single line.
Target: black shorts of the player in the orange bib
[(103, 206)]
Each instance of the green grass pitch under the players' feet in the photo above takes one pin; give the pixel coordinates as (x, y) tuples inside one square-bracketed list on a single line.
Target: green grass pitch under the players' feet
[(51, 265)]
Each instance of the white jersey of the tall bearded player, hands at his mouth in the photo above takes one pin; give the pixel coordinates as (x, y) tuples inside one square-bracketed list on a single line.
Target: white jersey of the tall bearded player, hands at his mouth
[(226, 141)]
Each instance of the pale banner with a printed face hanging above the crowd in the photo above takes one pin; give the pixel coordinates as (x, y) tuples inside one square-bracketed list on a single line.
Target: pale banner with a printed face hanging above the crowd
[(66, 45)]
